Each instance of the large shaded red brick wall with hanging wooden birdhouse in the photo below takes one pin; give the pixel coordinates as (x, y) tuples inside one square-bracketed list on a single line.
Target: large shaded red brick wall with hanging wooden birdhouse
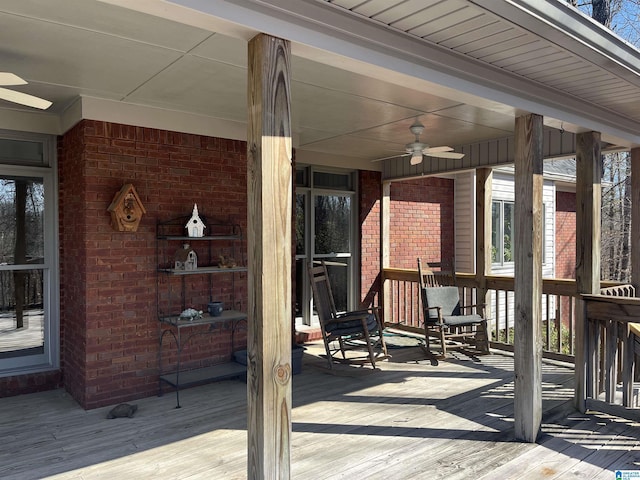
[(108, 278)]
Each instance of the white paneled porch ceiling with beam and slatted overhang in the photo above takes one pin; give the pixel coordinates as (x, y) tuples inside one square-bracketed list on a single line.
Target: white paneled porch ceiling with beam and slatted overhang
[(192, 64)]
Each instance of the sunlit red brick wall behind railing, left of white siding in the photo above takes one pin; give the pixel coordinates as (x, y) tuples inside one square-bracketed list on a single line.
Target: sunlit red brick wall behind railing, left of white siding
[(422, 223)]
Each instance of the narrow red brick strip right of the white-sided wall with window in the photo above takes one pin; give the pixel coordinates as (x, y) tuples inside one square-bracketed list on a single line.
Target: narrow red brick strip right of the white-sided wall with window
[(565, 235)]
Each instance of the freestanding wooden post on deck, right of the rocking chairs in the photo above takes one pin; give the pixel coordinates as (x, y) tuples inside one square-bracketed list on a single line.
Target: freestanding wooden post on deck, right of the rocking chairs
[(528, 277)]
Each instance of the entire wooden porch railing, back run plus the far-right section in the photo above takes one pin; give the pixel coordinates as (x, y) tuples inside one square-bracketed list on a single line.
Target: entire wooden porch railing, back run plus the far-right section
[(612, 325)]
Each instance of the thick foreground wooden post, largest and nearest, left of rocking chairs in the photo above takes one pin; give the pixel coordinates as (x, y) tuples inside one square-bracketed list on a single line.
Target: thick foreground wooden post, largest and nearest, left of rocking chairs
[(269, 190)]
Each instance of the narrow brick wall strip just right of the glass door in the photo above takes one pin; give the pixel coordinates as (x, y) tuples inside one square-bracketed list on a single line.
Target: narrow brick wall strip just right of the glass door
[(370, 190)]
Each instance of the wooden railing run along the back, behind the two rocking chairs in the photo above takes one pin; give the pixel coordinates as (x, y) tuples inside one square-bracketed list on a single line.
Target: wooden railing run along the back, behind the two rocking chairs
[(558, 302)]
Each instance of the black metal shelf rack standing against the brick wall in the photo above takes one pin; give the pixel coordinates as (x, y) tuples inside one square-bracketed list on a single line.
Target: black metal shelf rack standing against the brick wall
[(225, 239)]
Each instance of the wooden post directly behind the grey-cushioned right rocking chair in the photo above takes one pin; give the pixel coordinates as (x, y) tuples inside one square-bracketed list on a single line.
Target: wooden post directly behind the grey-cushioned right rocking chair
[(484, 181)]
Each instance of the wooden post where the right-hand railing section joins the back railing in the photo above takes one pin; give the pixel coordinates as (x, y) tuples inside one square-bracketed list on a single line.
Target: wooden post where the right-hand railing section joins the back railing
[(588, 207)]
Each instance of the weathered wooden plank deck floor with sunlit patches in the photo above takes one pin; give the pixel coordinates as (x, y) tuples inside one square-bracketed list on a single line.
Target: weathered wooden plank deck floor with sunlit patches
[(410, 419)]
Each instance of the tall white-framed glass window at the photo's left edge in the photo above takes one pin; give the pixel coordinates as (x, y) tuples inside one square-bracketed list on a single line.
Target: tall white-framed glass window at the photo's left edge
[(29, 325)]
